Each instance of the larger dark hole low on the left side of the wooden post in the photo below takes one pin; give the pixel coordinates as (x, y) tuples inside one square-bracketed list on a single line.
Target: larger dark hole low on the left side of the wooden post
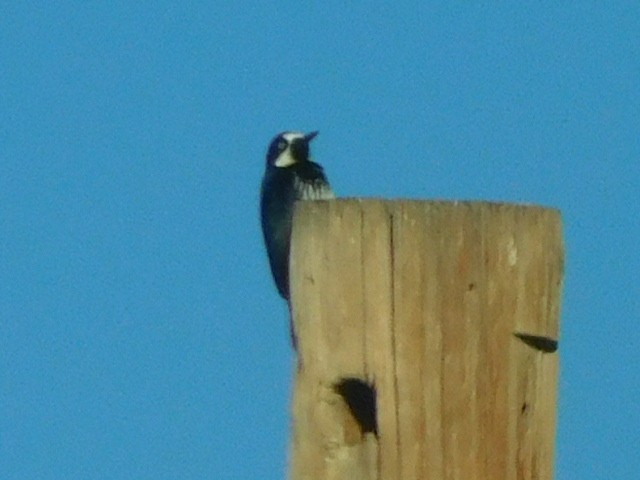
[(360, 397)]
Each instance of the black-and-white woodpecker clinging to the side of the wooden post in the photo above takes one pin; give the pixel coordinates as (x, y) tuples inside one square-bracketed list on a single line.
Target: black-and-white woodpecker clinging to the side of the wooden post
[(290, 175)]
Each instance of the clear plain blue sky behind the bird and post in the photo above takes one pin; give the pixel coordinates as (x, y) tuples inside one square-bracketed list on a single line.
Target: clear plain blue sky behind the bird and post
[(140, 333)]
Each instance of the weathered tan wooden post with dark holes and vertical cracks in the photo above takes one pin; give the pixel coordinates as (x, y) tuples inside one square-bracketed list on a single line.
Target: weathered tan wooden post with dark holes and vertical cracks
[(426, 334)]
